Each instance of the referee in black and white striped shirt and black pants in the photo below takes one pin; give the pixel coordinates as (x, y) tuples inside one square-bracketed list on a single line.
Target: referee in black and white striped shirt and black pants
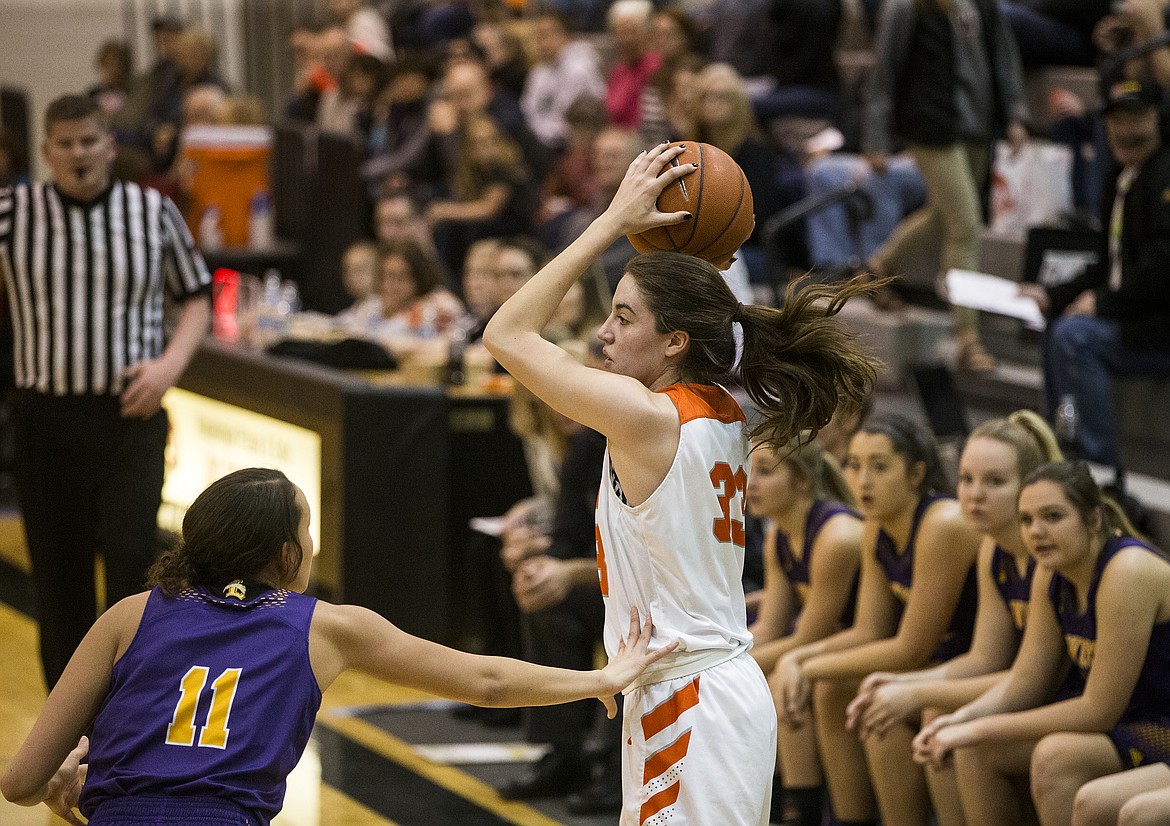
[(87, 263)]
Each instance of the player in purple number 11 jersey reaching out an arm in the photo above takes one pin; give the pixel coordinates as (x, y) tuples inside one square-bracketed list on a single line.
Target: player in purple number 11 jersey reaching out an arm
[(202, 693)]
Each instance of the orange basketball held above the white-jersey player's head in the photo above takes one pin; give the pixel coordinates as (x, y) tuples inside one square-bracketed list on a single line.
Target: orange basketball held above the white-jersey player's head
[(718, 196)]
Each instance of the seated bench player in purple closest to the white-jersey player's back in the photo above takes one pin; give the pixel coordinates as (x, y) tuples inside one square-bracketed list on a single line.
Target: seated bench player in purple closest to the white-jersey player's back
[(813, 553)]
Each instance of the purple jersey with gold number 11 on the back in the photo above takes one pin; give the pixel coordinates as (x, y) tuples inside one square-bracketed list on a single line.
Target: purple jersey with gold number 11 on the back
[(222, 697)]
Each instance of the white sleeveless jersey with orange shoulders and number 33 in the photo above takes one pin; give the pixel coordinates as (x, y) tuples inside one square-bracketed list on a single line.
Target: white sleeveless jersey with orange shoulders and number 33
[(680, 553)]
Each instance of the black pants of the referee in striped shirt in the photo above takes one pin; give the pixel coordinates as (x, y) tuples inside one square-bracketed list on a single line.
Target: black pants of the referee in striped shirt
[(88, 483)]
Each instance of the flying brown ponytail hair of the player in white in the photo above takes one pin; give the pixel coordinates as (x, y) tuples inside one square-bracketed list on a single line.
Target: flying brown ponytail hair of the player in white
[(800, 362)]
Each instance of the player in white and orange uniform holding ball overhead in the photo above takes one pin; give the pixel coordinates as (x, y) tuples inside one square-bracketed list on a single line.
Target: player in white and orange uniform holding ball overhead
[(699, 731)]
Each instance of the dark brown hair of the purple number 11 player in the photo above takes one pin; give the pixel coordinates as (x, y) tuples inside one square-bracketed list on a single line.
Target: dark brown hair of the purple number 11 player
[(235, 529)]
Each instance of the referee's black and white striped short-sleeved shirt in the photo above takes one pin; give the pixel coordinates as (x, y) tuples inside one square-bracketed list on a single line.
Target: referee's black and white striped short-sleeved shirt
[(86, 283)]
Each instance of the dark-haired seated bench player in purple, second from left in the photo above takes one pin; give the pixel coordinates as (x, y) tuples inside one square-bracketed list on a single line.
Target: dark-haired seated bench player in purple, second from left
[(916, 607)]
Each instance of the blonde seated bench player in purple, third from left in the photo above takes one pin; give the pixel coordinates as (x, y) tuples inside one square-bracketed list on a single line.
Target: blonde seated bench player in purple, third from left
[(997, 458)]
